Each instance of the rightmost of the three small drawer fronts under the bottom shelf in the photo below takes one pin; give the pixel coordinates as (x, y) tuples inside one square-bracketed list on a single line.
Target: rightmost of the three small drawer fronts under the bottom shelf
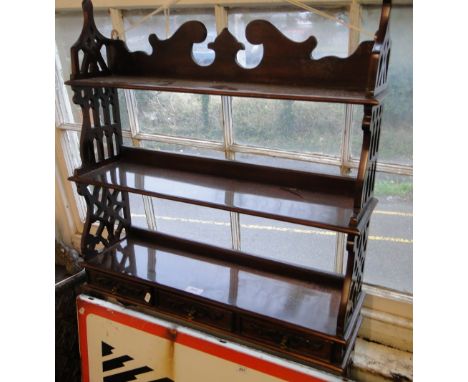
[(286, 339)]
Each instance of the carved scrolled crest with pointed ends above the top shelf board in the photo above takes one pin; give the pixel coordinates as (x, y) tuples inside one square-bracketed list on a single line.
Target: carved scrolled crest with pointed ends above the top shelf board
[(284, 62)]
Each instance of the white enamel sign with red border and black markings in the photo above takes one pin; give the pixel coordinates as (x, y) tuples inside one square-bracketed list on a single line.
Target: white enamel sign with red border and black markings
[(118, 344)]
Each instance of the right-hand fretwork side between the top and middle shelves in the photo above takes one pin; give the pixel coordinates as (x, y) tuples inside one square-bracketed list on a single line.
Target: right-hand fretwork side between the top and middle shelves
[(368, 164)]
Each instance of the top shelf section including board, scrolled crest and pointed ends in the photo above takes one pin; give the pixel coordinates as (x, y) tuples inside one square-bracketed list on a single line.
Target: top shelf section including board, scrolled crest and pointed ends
[(287, 69)]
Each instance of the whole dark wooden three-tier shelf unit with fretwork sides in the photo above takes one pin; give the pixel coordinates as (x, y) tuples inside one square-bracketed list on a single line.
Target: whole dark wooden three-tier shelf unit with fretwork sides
[(303, 314)]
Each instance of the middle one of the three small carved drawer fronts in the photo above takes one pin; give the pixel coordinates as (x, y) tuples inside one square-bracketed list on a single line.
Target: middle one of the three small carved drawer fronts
[(195, 311)]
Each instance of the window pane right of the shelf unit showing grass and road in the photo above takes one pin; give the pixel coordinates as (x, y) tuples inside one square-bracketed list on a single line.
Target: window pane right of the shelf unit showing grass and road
[(389, 260)]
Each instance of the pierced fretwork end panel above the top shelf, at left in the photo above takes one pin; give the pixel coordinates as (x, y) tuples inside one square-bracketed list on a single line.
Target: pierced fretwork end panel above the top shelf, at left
[(87, 53)]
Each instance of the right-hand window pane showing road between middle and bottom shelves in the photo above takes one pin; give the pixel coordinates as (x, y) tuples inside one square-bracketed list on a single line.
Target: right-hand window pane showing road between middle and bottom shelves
[(290, 243)]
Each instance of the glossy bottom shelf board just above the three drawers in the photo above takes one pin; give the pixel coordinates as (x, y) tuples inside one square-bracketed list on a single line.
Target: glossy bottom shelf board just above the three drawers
[(294, 296)]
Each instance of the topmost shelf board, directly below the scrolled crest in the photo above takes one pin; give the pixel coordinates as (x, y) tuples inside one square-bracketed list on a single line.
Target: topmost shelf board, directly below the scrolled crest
[(228, 88)]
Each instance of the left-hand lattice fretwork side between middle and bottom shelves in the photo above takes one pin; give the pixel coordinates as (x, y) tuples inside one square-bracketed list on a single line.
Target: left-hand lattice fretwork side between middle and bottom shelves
[(110, 210)]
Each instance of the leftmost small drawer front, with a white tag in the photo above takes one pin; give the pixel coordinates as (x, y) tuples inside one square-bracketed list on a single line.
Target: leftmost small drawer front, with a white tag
[(137, 292)]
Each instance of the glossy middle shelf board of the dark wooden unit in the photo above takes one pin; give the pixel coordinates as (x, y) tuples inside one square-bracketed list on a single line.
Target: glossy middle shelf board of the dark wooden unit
[(316, 200)]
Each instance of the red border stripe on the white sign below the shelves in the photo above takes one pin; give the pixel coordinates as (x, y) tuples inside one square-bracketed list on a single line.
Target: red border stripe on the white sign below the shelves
[(86, 308)]
